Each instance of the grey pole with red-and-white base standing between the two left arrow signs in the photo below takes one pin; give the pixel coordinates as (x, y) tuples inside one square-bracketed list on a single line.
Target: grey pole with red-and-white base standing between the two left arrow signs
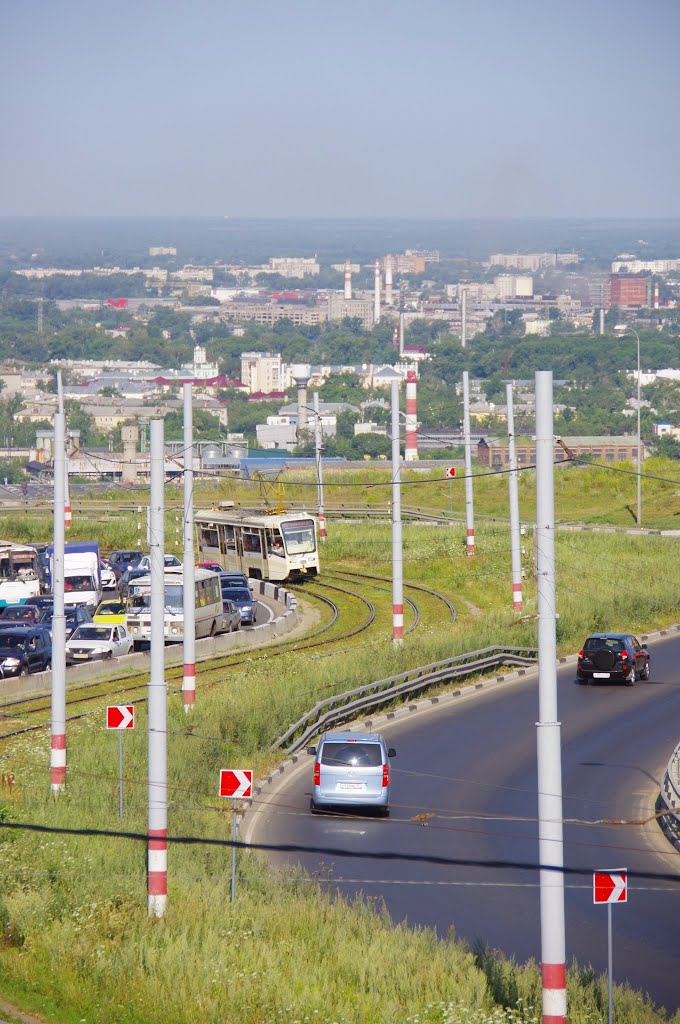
[(158, 694)]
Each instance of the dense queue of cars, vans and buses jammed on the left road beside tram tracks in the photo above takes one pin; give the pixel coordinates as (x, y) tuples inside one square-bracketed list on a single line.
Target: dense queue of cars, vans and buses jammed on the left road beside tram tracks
[(107, 604)]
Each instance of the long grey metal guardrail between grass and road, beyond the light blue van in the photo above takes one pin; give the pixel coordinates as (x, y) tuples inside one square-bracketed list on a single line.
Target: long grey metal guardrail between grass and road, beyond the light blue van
[(337, 709)]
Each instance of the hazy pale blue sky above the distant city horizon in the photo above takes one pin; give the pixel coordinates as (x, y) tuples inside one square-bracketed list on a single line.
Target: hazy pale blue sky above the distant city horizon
[(433, 109)]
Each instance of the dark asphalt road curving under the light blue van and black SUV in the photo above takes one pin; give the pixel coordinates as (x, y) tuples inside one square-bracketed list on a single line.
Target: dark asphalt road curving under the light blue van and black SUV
[(473, 765)]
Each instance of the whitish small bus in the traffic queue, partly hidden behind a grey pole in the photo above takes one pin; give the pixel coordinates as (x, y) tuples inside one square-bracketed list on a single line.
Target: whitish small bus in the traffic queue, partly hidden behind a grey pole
[(208, 606)]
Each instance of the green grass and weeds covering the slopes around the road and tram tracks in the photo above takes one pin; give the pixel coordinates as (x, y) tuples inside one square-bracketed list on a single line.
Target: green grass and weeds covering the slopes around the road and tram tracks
[(76, 945)]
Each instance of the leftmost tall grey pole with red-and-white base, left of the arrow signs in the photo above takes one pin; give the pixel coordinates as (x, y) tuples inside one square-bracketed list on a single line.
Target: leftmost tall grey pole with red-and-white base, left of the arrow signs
[(58, 759)]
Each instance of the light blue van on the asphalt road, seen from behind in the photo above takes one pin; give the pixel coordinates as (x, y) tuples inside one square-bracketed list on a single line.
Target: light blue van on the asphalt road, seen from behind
[(352, 770)]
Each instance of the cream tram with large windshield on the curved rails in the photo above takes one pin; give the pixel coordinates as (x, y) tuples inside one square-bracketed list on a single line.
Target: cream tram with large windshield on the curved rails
[(275, 547)]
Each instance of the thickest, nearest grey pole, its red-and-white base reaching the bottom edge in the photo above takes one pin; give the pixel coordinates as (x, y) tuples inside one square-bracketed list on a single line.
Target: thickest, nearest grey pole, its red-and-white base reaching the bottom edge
[(551, 849)]
